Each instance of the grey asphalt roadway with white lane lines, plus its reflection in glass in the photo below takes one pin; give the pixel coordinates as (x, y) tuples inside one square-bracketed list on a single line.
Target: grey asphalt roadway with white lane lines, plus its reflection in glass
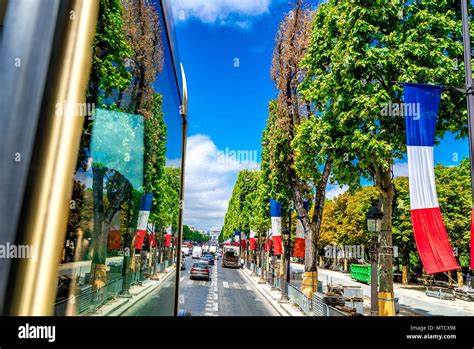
[(227, 294)]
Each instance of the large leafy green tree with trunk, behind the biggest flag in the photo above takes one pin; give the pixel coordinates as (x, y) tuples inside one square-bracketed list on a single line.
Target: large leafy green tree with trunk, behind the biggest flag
[(371, 47)]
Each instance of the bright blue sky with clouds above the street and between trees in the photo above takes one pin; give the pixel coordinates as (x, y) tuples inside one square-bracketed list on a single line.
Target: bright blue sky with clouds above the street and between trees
[(226, 49)]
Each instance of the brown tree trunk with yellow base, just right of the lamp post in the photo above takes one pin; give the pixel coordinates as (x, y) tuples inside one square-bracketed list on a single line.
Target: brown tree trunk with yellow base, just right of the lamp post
[(386, 189)]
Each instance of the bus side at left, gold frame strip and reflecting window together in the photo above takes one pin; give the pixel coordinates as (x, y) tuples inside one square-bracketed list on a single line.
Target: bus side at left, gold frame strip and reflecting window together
[(115, 225)]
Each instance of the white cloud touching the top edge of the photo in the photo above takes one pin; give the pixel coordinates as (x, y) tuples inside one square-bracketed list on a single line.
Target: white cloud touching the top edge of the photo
[(219, 11)]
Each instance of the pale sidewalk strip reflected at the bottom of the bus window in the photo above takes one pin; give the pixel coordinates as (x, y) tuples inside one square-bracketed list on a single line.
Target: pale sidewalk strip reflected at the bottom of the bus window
[(119, 305)]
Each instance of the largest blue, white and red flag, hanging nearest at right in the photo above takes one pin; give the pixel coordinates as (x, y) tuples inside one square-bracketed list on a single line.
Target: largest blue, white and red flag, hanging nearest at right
[(421, 104)]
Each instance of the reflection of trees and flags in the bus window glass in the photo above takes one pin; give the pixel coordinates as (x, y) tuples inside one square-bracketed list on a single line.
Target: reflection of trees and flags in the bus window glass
[(123, 223)]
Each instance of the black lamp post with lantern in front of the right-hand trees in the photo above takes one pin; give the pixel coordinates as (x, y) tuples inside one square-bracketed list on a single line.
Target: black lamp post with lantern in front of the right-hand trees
[(374, 223)]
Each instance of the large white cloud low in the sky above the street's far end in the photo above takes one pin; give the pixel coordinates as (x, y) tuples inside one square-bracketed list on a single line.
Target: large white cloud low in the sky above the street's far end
[(209, 182)]
